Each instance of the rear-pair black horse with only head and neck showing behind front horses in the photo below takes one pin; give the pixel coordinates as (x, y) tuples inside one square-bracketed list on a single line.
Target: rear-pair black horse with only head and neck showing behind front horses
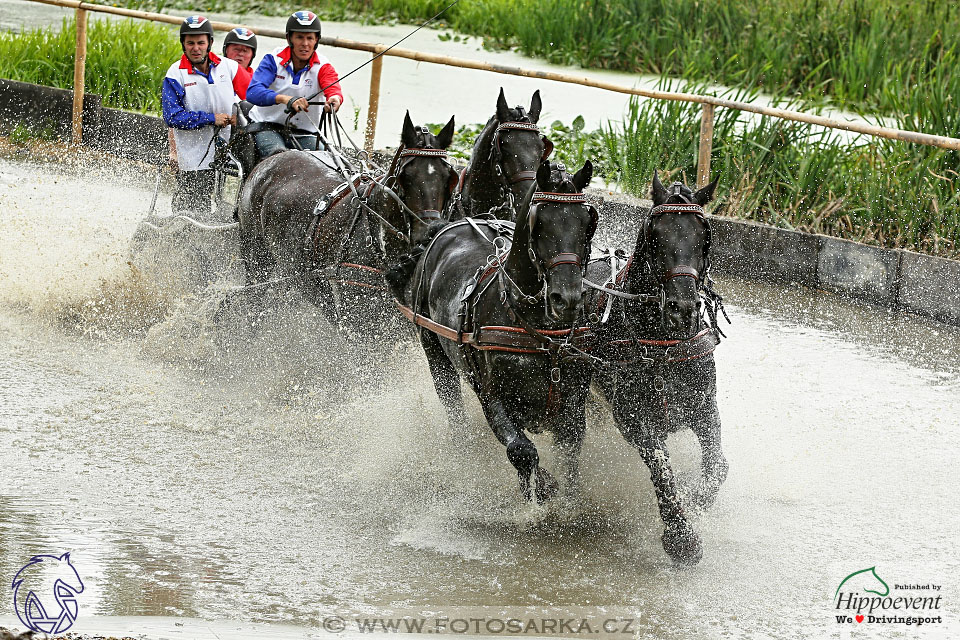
[(504, 162)]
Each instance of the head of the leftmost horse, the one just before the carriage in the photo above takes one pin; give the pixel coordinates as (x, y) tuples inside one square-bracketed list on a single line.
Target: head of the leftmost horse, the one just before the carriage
[(423, 179)]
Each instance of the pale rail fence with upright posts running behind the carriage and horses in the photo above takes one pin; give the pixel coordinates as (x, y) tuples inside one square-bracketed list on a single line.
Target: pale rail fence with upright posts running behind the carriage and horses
[(708, 102)]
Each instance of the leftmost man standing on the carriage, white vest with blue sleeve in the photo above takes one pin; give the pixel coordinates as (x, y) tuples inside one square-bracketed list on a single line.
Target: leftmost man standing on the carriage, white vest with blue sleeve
[(198, 95)]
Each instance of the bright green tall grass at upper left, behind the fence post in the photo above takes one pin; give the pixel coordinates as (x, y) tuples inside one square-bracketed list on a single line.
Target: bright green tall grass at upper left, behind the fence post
[(126, 59)]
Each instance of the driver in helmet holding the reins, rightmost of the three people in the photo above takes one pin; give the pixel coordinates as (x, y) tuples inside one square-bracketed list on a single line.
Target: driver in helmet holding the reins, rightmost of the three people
[(288, 77)]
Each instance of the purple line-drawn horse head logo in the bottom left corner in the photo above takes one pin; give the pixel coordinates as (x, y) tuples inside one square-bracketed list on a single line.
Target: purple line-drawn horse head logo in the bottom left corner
[(42, 610)]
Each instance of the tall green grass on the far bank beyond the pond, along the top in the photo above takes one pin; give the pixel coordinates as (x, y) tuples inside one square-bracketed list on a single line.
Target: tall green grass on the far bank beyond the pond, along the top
[(854, 52)]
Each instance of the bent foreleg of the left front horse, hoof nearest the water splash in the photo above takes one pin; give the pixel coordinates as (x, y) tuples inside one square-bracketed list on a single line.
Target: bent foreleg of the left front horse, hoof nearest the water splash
[(521, 452)]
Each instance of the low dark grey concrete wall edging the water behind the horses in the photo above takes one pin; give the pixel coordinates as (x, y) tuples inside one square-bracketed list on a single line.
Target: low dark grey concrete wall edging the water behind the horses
[(902, 279)]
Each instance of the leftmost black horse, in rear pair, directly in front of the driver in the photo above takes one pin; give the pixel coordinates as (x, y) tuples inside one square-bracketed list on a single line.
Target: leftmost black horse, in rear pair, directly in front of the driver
[(303, 223)]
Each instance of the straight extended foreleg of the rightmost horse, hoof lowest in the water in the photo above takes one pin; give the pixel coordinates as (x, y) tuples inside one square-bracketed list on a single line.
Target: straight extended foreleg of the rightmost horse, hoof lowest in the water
[(646, 434)]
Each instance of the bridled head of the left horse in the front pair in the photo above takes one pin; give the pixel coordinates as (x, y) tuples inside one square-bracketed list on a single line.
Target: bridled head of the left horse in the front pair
[(557, 225)]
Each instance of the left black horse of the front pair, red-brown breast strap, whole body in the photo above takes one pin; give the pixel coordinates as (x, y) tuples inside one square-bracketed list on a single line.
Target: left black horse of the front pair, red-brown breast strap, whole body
[(499, 313)]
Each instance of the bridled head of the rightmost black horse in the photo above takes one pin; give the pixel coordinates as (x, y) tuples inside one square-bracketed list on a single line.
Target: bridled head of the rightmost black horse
[(675, 246)]
